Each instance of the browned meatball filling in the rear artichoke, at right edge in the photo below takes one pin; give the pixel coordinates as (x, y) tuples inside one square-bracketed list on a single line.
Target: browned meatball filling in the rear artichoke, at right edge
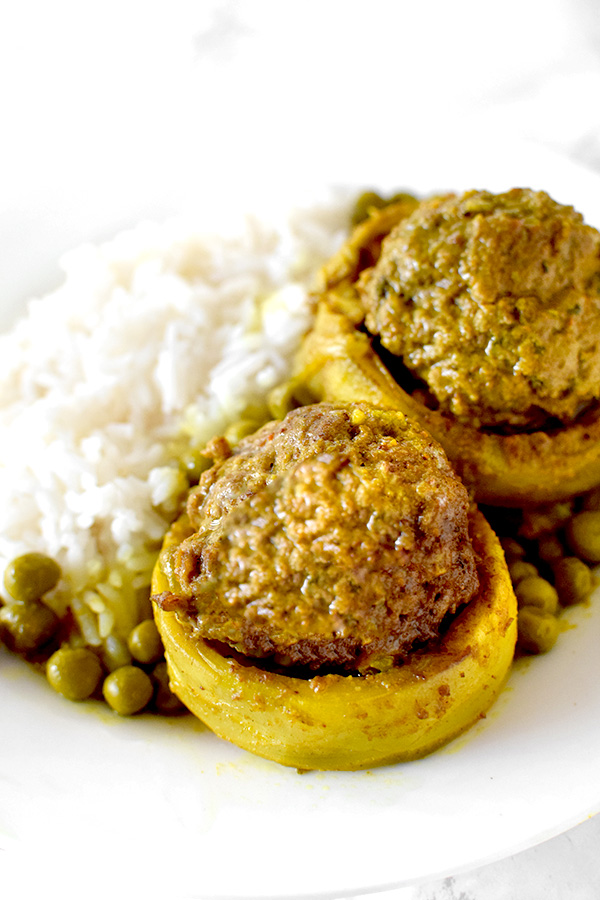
[(494, 301)]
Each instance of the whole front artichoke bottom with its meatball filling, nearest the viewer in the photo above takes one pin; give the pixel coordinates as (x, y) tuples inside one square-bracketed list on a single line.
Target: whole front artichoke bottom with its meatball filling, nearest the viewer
[(331, 599)]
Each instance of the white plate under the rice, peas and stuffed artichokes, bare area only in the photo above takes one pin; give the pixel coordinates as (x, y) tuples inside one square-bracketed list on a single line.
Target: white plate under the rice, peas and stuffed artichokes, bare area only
[(197, 817)]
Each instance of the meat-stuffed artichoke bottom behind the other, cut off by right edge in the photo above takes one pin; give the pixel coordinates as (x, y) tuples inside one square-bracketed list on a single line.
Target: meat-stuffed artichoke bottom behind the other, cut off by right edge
[(478, 316)]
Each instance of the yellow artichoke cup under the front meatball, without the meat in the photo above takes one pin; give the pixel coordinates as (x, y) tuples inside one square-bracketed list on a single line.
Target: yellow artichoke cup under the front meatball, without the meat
[(346, 722)]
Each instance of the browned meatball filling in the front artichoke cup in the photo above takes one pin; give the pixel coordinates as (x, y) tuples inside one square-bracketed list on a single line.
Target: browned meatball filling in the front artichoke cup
[(337, 537)]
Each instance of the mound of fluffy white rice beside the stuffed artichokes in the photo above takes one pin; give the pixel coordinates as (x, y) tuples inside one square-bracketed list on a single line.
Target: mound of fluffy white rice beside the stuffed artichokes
[(166, 327)]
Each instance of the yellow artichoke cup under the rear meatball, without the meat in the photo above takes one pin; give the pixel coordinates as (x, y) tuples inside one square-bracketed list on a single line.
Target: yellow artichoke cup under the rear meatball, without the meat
[(337, 362)]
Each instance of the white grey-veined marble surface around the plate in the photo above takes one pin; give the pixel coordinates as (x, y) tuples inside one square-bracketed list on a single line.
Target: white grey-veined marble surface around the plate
[(108, 92)]
